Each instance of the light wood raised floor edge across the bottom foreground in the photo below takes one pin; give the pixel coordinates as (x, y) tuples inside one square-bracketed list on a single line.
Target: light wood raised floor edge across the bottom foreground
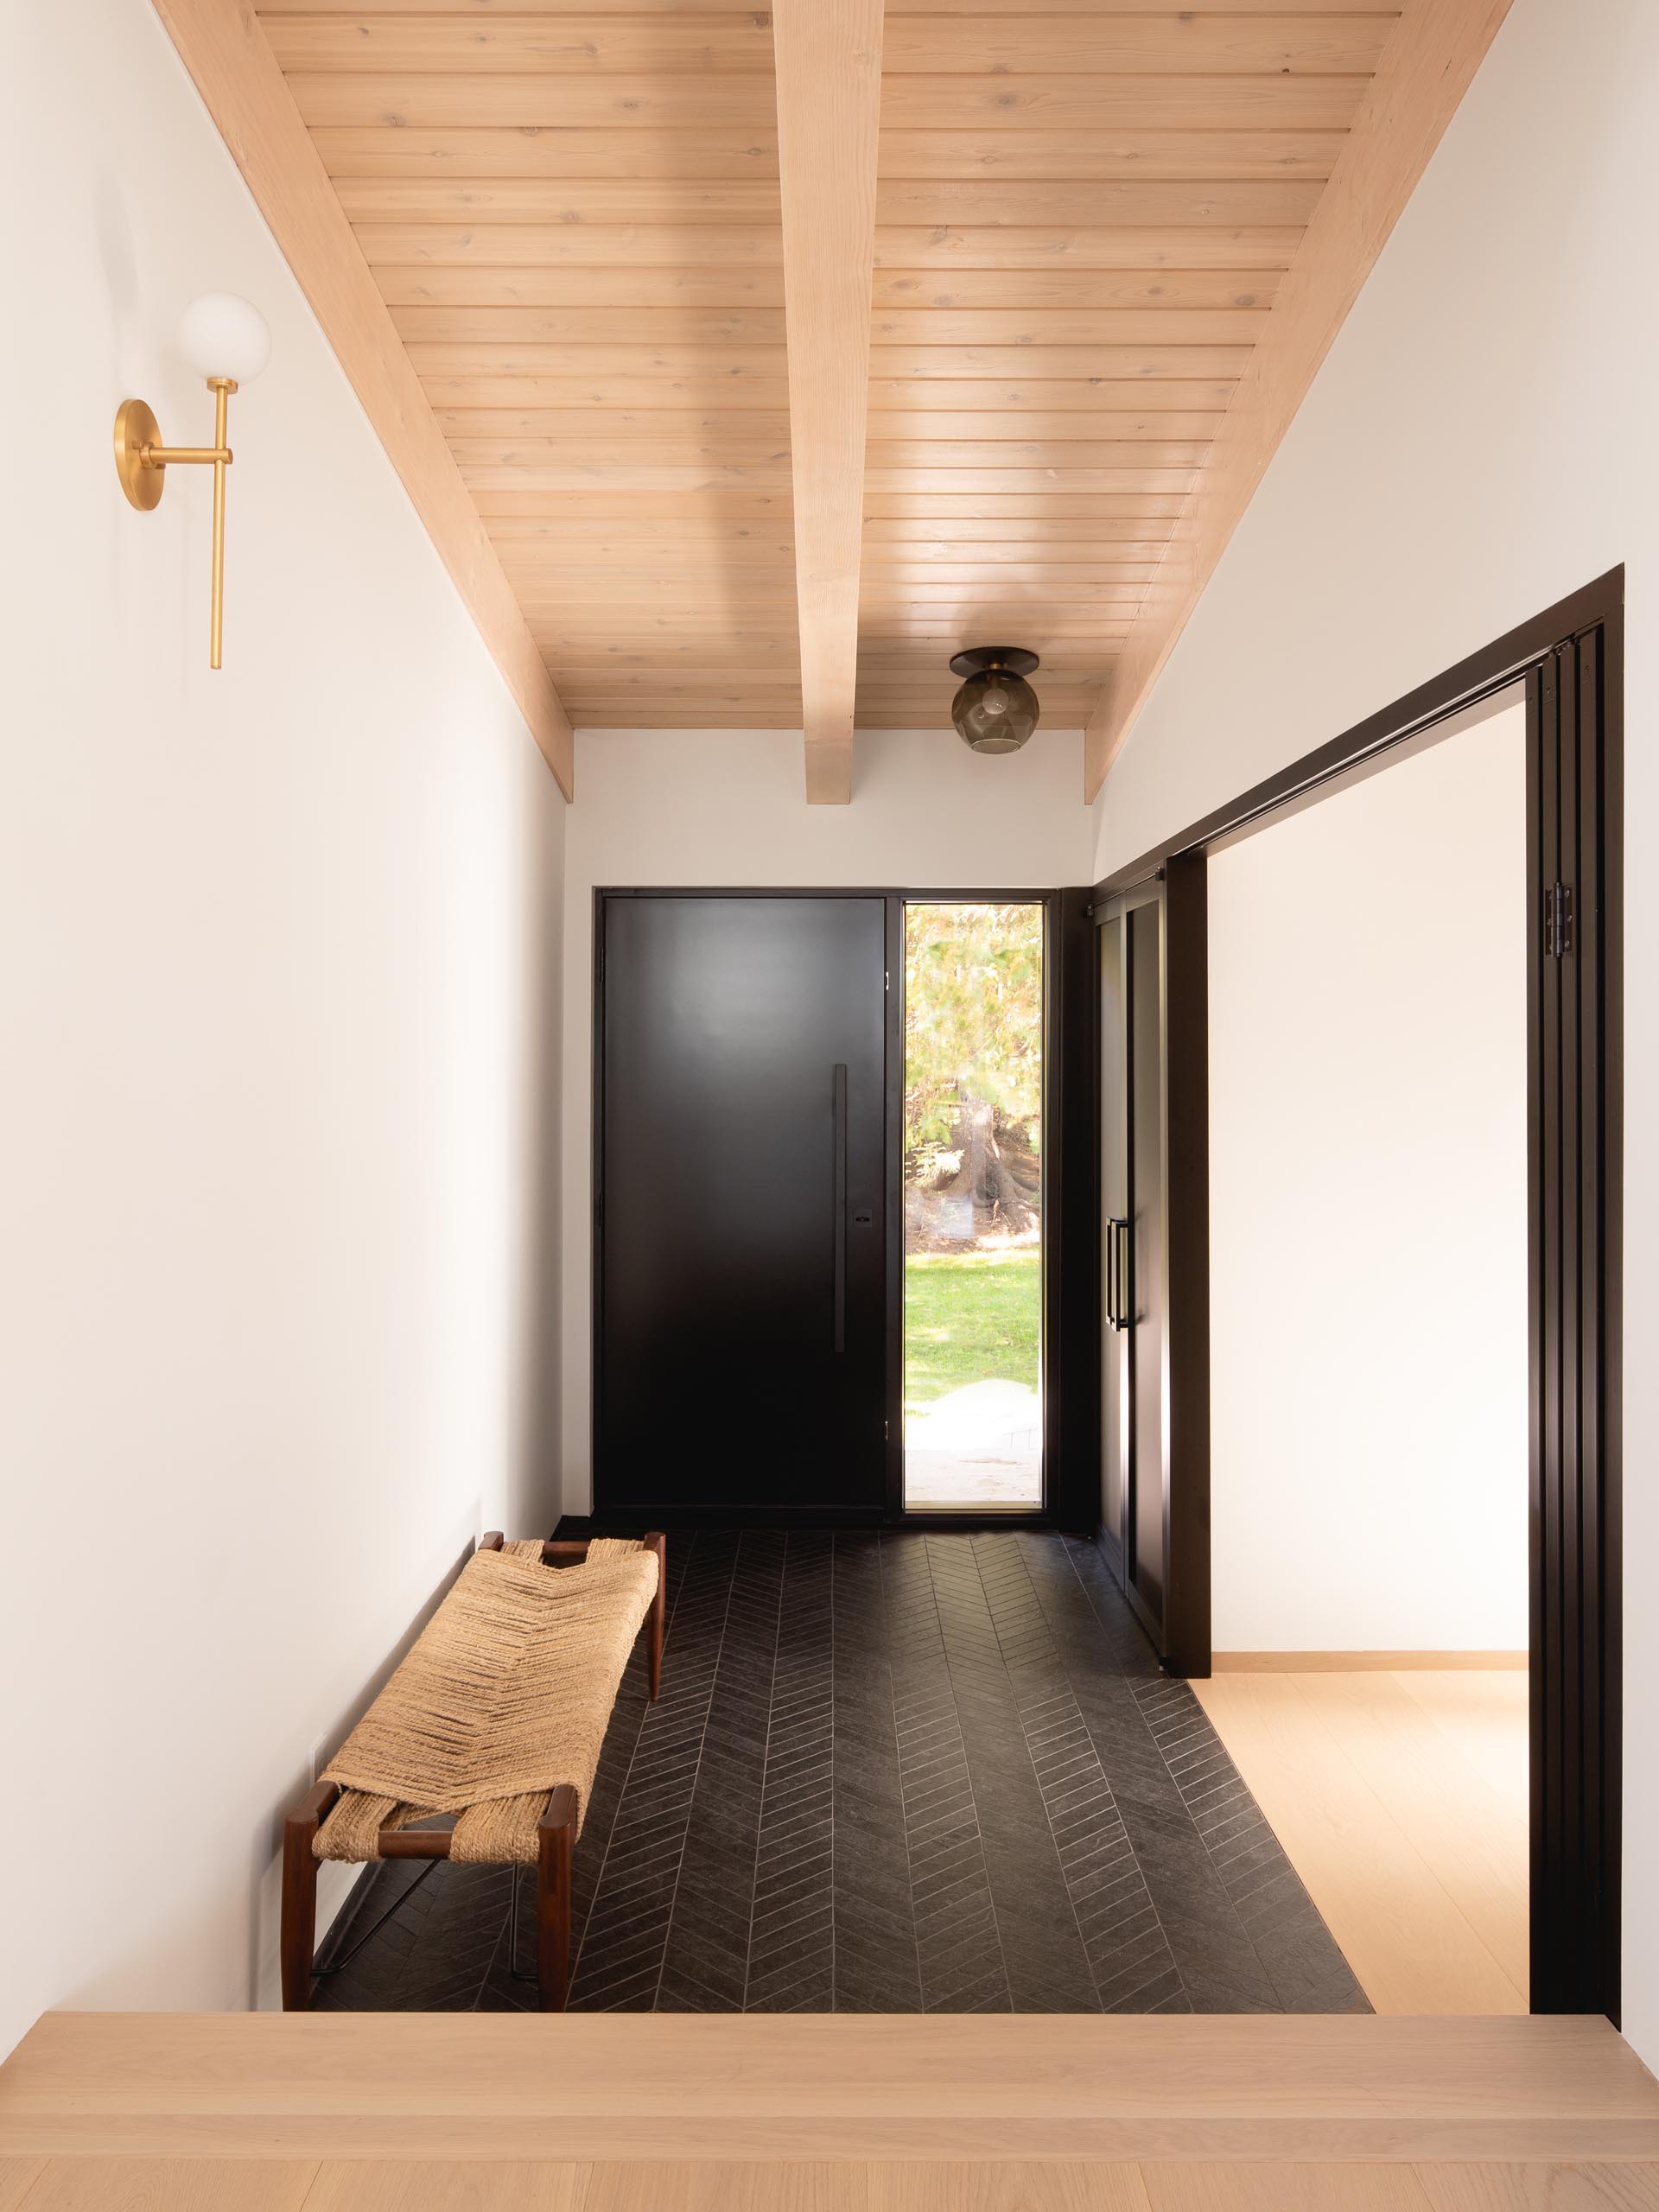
[(824, 2114)]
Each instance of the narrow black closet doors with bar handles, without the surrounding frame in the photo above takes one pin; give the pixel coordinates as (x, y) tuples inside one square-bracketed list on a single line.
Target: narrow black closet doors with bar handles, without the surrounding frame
[(1136, 1255)]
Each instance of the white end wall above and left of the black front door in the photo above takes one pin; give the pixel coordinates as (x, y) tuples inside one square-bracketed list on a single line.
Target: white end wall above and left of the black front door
[(727, 808)]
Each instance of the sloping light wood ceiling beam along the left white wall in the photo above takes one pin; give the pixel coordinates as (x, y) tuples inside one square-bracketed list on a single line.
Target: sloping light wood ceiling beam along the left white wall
[(247, 94)]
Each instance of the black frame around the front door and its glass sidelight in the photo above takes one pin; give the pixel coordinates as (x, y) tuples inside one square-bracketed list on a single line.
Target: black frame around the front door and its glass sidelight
[(1070, 1231)]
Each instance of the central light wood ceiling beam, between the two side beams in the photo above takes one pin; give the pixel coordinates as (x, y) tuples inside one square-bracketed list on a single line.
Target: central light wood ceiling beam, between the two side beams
[(828, 92)]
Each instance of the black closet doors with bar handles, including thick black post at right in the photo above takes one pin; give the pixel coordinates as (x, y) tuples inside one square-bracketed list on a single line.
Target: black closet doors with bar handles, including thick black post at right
[(1156, 1333)]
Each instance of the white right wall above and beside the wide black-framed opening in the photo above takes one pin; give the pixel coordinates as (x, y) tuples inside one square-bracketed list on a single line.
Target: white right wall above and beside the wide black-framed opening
[(1481, 441)]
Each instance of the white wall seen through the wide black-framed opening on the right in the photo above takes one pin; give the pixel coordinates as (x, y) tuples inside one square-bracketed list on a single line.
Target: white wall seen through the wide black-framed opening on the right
[(1368, 1213)]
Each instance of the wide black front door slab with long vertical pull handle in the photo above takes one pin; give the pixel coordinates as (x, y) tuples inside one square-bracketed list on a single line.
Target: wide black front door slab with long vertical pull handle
[(742, 1204)]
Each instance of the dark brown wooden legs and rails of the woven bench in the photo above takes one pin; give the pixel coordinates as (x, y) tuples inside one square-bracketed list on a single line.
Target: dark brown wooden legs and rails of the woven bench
[(554, 1837)]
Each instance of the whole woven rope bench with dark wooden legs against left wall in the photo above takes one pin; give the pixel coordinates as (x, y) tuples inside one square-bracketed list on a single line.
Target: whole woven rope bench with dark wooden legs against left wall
[(494, 1718)]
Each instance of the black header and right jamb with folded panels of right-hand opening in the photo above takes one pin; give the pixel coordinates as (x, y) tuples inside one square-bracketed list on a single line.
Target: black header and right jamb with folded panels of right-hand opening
[(1572, 665)]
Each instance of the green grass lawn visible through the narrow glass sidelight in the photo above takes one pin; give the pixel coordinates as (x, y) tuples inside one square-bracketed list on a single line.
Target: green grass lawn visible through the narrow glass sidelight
[(970, 1317)]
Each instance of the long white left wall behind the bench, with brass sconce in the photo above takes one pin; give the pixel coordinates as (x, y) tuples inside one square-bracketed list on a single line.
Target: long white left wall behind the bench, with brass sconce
[(280, 1010)]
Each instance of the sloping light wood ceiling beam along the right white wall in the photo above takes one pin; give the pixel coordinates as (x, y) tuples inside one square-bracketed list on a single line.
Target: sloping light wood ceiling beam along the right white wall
[(1426, 70)]
